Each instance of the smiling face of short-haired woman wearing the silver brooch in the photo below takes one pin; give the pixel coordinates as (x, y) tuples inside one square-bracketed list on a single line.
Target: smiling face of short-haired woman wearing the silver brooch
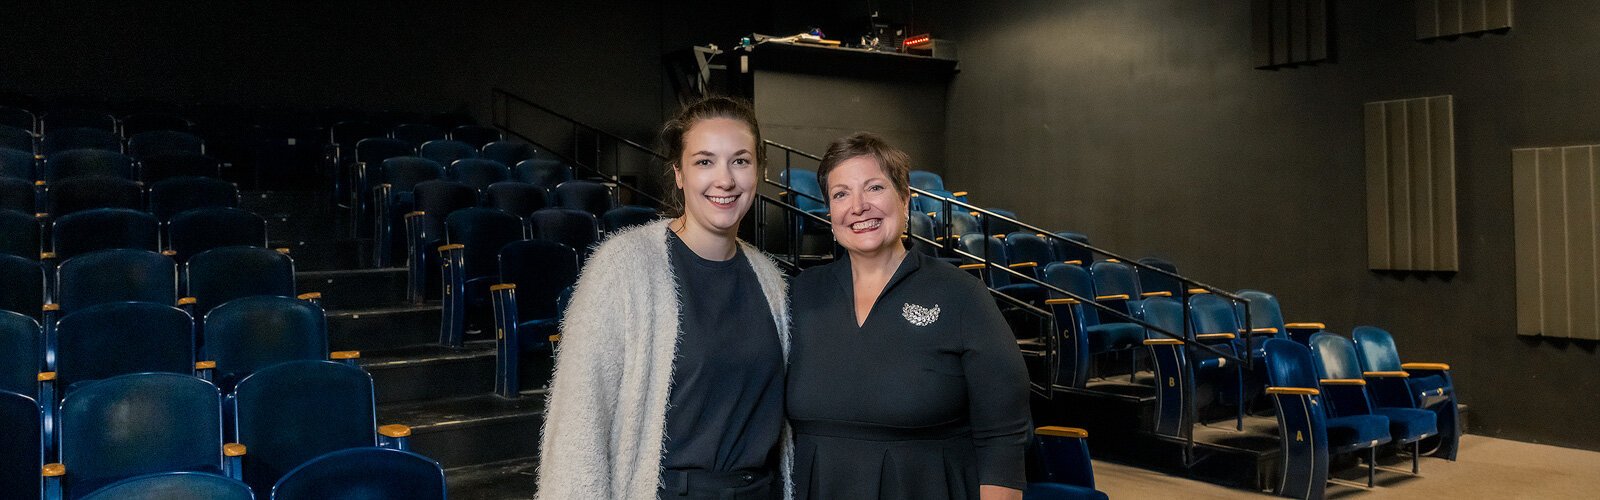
[(866, 211)]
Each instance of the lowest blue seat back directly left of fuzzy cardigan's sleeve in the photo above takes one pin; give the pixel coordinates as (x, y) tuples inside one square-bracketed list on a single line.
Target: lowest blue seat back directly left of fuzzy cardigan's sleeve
[(542, 270)]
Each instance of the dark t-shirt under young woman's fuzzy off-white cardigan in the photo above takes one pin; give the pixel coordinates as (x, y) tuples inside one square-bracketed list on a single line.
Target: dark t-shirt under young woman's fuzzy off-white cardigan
[(727, 405)]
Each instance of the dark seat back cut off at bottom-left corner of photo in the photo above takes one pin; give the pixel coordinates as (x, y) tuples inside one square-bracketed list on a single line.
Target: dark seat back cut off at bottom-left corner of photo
[(22, 446)]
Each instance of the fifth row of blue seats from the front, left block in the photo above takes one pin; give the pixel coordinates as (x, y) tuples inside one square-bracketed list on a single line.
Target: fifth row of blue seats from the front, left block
[(183, 236)]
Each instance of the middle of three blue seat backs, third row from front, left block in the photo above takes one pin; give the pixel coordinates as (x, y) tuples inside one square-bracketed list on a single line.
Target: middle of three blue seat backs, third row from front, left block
[(127, 337)]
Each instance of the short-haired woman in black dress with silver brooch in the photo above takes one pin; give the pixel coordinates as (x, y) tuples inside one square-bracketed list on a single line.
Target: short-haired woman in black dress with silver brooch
[(905, 382)]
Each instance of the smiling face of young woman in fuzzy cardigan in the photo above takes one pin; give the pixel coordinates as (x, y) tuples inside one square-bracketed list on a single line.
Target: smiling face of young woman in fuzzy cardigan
[(718, 175)]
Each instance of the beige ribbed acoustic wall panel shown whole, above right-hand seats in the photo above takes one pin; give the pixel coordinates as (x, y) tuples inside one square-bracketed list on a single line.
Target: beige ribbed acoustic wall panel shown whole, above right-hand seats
[(1412, 185)]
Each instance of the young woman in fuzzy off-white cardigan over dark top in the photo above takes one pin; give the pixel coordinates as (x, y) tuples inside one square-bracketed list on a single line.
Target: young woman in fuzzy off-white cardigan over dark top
[(670, 376)]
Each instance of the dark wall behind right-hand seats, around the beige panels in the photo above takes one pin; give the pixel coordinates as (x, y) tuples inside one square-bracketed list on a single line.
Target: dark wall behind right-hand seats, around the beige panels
[(1143, 126)]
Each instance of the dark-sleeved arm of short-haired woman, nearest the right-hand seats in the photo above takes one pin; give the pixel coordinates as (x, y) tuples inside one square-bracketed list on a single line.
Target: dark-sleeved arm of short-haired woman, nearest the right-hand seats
[(998, 397)]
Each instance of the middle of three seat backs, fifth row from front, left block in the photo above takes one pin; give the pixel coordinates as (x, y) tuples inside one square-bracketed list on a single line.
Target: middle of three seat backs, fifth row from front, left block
[(105, 228)]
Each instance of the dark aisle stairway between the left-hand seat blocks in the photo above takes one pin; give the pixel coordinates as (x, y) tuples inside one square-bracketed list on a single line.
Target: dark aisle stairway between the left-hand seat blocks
[(486, 443)]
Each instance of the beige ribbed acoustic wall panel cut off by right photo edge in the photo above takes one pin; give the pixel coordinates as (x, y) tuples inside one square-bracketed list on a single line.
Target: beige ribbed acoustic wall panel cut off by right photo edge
[(1556, 196)]
